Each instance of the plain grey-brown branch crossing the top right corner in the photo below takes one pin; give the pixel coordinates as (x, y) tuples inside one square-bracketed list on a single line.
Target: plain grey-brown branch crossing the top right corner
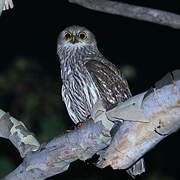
[(132, 11)]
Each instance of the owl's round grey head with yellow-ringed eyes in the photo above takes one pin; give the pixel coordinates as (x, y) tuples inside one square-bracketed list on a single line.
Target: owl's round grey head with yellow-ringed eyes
[(76, 37)]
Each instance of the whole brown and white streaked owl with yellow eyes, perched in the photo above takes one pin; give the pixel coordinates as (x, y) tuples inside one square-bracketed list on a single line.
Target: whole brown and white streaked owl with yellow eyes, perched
[(87, 76)]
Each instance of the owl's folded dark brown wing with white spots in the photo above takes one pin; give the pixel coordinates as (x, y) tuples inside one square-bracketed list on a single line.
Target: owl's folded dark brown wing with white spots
[(111, 84)]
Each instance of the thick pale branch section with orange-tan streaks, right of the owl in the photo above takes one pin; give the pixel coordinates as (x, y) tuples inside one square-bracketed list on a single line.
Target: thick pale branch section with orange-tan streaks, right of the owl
[(156, 115)]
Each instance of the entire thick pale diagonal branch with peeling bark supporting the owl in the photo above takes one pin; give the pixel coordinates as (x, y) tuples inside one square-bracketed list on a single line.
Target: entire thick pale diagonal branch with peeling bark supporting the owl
[(147, 119)]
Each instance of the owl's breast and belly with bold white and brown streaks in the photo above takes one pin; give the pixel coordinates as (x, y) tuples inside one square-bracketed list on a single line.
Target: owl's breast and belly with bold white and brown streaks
[(79, 91)]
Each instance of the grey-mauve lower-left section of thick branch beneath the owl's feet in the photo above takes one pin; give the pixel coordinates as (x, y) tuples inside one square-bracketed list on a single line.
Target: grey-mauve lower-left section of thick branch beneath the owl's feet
[(56, 156)]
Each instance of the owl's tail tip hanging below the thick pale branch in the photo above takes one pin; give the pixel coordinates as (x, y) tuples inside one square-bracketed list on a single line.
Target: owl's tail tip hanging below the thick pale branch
[(137, 168)]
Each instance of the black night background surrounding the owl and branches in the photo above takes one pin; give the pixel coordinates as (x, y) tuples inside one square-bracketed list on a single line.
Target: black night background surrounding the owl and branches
[(30, 85)]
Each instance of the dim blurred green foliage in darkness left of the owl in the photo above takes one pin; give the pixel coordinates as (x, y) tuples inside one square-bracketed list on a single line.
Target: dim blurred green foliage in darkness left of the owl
[(30, 94)]
